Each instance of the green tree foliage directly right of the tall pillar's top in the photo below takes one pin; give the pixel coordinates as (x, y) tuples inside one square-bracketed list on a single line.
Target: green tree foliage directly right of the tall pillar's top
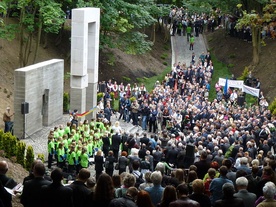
[(123, 23)]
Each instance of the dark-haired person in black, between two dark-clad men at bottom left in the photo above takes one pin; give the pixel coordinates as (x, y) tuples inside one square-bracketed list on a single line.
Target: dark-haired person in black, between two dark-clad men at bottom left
[(55, 194)]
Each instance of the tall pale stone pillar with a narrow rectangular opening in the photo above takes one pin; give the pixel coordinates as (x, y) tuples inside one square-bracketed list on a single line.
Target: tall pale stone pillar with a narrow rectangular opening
[(84, 58)]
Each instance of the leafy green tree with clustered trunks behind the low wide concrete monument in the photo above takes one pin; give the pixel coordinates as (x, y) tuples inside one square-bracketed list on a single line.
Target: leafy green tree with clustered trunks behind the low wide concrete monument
[(34, 17)]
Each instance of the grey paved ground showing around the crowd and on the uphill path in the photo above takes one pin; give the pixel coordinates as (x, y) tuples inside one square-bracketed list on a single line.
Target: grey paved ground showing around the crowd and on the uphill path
[(180, 53)]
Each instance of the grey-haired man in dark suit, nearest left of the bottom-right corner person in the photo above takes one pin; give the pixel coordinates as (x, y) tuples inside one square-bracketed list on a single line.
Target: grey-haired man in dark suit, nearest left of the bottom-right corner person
[(247, 197)]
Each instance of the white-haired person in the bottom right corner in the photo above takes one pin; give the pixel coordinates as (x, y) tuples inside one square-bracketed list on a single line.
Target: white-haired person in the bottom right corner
[(269, 191)]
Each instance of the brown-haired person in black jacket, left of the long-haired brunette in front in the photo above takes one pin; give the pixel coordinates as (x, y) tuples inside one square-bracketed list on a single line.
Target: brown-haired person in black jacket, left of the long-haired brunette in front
[(81, 193)]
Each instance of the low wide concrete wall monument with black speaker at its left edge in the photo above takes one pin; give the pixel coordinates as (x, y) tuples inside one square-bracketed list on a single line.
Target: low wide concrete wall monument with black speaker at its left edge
[(38, 98)]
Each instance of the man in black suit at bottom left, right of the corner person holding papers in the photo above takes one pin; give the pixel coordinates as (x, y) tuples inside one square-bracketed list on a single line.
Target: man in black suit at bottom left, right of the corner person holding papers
[(32, 191)]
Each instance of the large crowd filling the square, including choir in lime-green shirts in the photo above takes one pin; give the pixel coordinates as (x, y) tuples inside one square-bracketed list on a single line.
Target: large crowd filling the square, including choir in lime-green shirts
[(192, 152)]
